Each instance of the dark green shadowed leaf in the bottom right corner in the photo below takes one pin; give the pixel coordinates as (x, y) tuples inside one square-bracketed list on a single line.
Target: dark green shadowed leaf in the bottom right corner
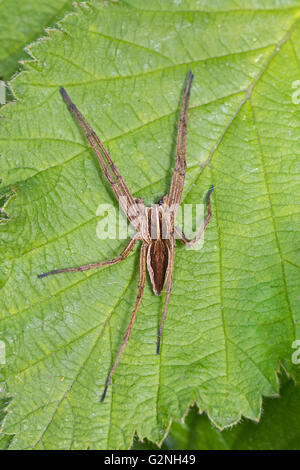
[(279, 428)]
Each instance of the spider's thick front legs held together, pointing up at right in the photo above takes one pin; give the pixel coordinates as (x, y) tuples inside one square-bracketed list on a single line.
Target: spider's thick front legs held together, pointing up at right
[(178, 177)]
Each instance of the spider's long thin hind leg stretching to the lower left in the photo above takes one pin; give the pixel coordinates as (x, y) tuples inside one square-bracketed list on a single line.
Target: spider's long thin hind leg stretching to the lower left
[(142, 280)]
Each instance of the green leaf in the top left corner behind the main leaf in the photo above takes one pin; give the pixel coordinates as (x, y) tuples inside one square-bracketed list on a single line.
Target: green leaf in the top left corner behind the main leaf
[(18, 30)]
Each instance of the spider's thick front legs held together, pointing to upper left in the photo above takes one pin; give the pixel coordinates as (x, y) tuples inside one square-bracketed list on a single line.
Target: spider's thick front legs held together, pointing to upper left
[(114, 178)]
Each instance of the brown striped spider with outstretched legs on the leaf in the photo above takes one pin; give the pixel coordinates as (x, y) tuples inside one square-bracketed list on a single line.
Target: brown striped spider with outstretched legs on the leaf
[(154, 225)]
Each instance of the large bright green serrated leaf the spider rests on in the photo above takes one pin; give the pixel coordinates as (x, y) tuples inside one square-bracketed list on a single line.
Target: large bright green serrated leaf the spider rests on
[(233, 312)]
